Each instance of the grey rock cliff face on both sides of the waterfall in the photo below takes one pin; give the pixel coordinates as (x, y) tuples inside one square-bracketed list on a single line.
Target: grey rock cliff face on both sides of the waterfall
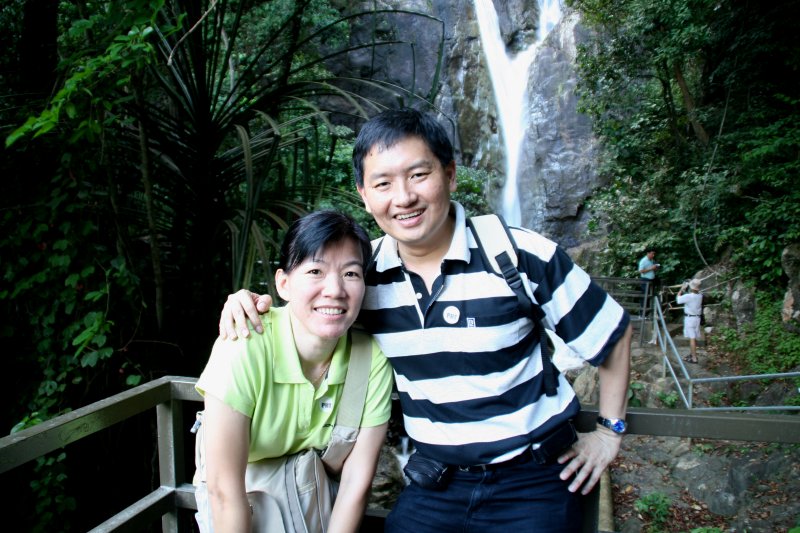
[(557, 170)]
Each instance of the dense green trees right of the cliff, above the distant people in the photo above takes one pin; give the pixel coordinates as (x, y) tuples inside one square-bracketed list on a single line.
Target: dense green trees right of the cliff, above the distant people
[(699, 129)]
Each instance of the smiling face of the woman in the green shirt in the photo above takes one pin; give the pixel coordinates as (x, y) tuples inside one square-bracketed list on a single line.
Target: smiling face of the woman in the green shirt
[(325, 291)]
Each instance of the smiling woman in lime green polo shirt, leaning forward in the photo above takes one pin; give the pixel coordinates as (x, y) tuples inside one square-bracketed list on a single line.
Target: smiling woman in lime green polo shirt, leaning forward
[(277, 394)]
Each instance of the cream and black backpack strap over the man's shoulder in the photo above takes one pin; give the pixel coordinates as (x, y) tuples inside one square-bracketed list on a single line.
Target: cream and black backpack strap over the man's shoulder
[(502, 255)]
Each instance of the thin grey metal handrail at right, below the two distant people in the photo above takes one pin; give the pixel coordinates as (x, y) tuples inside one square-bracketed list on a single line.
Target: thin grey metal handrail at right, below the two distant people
[(674, 363)]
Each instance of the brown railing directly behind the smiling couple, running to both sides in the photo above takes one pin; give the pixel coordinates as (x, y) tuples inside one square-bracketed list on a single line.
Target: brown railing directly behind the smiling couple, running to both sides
[(176, 493)]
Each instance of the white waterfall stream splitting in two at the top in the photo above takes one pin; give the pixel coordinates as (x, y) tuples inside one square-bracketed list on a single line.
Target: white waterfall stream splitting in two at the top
[(510, 81)]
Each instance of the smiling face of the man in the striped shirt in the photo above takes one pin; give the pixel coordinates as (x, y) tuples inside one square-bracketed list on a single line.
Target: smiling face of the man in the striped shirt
[(407, 191)]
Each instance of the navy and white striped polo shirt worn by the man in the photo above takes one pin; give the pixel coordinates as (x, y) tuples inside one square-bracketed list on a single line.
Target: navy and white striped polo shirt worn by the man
[(466, 361)]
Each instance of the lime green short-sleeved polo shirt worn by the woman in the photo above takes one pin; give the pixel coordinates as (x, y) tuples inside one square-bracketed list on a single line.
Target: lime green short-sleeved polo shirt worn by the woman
[(261, 378)]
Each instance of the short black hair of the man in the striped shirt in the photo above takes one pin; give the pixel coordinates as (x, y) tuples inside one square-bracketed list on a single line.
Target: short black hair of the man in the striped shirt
[(392, 126)]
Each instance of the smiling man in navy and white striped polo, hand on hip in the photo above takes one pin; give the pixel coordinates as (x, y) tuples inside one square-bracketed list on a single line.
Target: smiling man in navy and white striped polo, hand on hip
[(495, 448)]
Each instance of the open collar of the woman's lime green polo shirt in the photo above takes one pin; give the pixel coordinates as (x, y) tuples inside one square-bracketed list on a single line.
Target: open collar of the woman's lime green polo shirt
[(286, 360)]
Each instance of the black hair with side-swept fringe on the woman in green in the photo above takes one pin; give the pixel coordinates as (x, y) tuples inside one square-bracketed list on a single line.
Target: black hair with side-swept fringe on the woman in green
[(313, 232)]
